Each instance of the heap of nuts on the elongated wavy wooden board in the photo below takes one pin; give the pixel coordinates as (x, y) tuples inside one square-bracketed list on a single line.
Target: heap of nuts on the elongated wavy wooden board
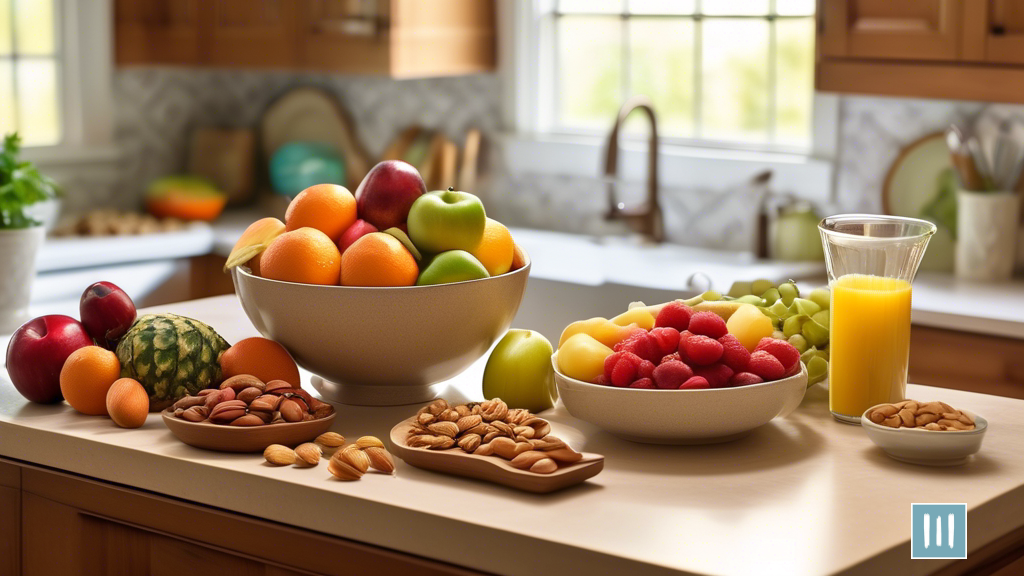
[(491, 428)]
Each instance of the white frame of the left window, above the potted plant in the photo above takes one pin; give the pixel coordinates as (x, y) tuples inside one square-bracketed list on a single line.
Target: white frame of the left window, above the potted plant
[(86, 87)]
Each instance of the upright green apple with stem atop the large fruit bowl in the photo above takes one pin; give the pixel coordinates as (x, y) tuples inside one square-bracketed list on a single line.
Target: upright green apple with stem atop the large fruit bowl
[(447, 221)]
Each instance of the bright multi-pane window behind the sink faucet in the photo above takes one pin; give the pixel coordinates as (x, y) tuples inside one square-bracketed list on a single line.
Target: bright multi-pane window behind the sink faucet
[(721, 73)]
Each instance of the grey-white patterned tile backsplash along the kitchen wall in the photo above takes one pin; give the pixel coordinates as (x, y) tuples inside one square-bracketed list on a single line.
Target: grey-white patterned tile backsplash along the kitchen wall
[(157, 109)]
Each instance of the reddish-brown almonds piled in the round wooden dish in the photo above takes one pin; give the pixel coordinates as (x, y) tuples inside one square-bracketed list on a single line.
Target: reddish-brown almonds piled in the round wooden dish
[(246, 401)]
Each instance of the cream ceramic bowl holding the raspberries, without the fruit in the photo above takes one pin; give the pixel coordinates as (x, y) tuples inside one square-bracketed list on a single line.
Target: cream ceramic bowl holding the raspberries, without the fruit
[(700, 417)]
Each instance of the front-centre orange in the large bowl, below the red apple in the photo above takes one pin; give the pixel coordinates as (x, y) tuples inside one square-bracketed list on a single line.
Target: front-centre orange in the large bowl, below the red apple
[(378, 260)]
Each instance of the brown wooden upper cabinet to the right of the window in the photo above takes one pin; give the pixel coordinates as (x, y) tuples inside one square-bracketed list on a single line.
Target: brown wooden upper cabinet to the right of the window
[(965, 50)]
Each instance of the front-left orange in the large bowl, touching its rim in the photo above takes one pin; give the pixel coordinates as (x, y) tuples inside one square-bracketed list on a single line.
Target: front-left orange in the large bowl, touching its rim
[(306, 256)]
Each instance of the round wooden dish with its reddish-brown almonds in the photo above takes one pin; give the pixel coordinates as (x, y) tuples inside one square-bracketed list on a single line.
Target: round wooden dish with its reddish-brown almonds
[(247, 416)]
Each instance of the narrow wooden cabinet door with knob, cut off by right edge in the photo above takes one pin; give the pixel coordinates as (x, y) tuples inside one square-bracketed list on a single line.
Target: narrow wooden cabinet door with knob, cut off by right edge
[(994, 31)]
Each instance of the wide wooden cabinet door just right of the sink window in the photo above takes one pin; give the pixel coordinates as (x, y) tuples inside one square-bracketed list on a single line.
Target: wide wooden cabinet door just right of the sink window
[(891, 29)]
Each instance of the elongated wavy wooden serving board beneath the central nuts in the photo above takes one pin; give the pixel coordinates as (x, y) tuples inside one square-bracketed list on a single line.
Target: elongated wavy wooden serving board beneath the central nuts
[(492, 469)]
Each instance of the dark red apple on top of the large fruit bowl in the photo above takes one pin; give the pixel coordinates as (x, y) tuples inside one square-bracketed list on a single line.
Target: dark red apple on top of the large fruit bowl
[(388, 192)]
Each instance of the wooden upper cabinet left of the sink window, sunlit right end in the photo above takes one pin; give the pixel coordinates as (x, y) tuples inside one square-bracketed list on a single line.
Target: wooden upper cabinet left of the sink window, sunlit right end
[(399, 38)]
